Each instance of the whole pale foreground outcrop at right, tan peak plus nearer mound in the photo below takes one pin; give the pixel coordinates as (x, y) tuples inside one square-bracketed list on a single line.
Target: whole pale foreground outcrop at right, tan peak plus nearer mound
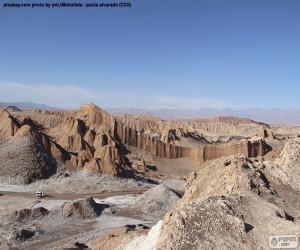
[(229, 204)]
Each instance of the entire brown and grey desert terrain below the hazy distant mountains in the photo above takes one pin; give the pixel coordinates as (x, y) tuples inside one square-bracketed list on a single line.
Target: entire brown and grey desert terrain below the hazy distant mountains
[(141, 182)]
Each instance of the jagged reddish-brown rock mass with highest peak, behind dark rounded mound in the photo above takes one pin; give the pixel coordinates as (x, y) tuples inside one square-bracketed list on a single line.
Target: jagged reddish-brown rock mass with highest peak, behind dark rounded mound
[(83, 141)]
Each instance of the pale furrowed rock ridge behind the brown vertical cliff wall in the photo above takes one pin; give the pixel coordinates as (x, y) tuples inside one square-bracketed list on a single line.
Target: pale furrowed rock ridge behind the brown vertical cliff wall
[(221, 126)]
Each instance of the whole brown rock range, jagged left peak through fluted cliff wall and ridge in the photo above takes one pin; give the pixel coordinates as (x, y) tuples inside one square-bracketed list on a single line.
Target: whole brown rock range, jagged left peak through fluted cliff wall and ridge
[(93, 139)]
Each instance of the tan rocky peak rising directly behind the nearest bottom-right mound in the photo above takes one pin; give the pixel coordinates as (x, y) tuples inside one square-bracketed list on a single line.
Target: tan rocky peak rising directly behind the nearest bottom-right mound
[(225, 176)]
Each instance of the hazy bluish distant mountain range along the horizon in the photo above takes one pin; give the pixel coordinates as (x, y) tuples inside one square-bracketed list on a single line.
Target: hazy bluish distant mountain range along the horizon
[(271, 116)]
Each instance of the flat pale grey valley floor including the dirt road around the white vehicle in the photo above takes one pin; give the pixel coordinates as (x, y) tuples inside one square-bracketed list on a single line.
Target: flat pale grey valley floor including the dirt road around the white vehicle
[(54, 230)]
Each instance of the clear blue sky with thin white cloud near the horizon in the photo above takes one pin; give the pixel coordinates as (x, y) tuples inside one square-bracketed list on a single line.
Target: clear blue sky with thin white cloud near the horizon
[(171, 54)]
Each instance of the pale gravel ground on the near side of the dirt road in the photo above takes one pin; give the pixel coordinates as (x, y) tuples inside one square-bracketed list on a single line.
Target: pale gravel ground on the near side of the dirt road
[(55, 230)]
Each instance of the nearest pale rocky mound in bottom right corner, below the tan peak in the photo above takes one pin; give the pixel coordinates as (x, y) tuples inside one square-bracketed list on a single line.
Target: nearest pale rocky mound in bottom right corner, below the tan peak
[(243, 221)]
